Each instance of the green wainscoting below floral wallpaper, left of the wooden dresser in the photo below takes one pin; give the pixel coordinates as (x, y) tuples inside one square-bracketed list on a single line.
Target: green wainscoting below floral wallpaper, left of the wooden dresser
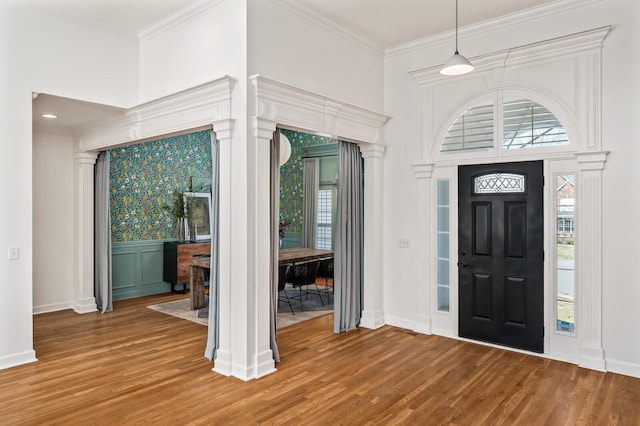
[(137, 269)]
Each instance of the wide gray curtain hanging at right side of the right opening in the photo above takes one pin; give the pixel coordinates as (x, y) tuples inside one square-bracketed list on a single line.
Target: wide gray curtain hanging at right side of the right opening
[(349, 239)]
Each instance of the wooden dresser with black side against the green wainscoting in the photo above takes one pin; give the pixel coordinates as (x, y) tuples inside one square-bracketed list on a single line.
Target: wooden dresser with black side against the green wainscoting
[(177, 256)]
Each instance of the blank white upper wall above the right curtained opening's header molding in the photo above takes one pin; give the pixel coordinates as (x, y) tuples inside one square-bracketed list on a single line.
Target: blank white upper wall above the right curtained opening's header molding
[(289, 47)]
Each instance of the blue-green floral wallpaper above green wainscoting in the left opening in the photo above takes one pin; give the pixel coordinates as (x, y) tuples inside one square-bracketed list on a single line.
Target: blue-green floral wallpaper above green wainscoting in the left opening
[(143, 178)]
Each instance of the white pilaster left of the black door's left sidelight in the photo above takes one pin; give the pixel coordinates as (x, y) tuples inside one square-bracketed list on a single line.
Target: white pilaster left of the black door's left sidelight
[(424, 174)]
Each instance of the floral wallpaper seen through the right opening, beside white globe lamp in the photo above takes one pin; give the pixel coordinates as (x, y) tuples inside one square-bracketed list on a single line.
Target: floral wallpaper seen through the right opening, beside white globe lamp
[(291, 176)]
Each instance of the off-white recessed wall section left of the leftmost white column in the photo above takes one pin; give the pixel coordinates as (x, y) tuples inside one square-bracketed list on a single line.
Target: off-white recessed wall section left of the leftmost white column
[(53, 226)]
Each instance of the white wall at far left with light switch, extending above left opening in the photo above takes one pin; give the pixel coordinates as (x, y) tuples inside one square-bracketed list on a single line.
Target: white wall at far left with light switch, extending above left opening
[(53, 55)]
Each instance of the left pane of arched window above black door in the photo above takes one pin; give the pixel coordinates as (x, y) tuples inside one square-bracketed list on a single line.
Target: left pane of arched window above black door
[(472, 131)]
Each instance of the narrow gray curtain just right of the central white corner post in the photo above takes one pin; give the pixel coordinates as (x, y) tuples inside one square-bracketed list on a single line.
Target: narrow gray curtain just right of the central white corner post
[(275, 240)]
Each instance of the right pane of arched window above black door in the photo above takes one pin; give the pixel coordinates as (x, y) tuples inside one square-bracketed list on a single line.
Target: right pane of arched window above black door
[(527, 124)]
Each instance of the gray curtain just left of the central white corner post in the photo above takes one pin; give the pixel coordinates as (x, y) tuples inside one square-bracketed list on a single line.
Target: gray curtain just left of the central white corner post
[(213, 337)]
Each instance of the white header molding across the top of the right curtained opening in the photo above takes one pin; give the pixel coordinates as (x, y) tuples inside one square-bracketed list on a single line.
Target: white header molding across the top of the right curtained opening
[(297, 108)]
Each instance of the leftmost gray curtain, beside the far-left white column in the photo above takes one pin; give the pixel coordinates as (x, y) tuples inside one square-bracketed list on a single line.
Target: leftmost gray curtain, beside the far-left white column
[(102, 235)]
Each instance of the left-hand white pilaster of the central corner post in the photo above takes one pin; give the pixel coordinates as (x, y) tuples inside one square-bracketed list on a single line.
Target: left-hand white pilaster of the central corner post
[(224, 361)]
